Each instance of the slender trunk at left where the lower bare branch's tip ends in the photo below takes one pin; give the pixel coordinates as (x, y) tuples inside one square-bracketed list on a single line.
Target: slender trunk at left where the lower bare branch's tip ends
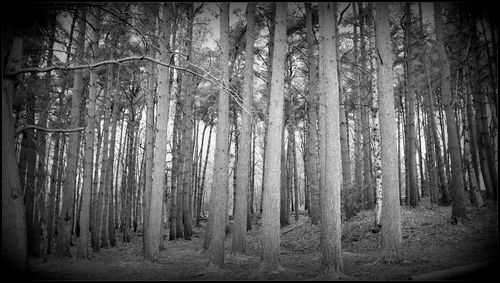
[(95, 20)]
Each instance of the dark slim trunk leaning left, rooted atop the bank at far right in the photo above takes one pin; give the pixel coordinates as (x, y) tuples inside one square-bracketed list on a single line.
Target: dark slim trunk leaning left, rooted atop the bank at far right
[(458, 209)]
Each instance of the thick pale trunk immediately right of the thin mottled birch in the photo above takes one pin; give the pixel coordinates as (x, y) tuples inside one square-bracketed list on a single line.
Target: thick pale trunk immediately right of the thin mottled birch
[(391, 218)]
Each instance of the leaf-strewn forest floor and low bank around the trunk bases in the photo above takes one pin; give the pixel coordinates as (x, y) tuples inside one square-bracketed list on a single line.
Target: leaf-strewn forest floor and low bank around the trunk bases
[(430, 243)]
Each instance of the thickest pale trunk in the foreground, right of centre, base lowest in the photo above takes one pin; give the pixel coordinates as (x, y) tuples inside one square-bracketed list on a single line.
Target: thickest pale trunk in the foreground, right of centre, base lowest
[(329, 144)]
